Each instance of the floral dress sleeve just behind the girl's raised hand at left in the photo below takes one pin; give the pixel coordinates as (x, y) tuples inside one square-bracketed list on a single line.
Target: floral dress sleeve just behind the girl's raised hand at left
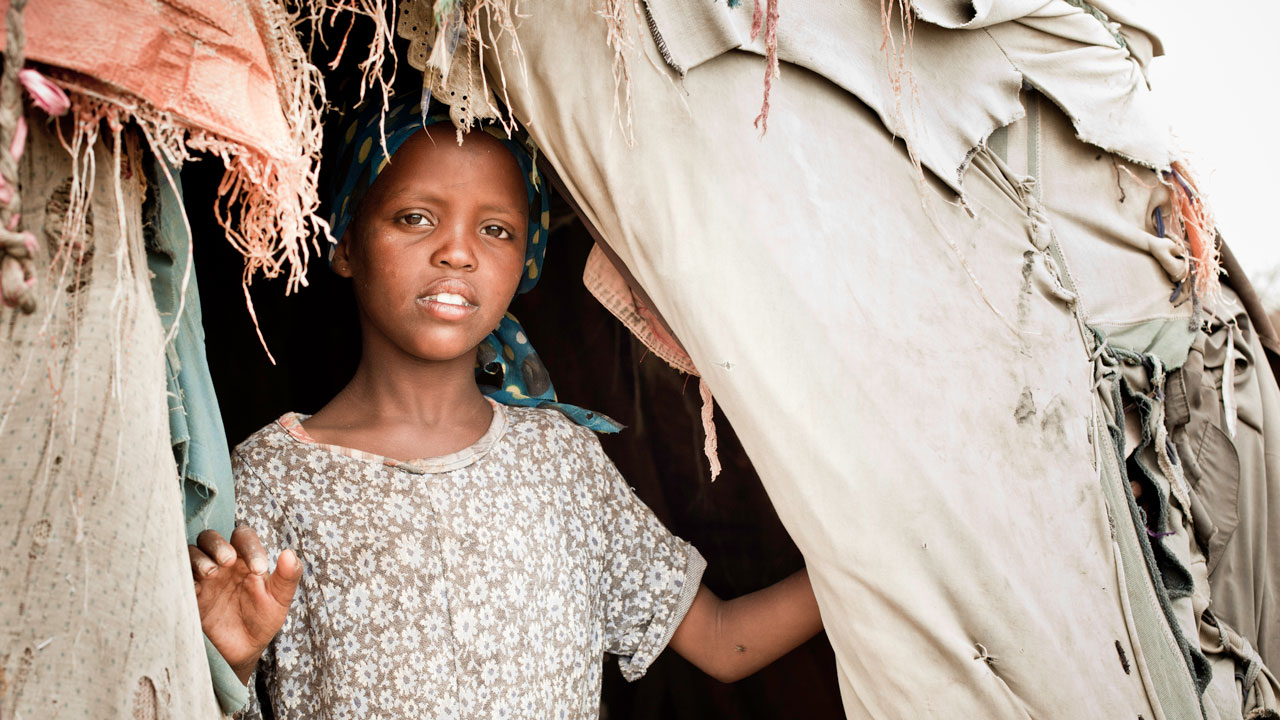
[(259, 509)]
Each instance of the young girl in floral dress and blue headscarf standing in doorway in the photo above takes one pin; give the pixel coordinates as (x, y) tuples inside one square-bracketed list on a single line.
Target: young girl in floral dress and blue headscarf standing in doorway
[(460, 555)]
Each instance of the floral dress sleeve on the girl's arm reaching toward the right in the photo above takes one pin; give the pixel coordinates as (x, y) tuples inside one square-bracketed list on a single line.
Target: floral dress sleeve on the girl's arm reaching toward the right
[(650, 576)]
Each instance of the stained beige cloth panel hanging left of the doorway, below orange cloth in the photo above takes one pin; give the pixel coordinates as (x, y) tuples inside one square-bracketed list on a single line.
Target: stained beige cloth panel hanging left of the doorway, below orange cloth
[(98, 617)]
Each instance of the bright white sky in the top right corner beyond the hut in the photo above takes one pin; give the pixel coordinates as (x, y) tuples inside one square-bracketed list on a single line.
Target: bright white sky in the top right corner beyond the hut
[(1219, 81)]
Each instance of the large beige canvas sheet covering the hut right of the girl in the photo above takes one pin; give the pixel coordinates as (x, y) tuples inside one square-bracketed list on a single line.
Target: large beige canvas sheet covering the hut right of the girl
[(924, 380)]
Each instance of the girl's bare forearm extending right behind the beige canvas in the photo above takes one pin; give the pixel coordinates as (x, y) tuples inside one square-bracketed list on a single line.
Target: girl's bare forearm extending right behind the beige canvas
[(732, 640)]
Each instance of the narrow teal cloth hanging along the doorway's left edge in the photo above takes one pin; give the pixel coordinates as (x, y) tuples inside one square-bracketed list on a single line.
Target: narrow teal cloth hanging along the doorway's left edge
[(195, 422)]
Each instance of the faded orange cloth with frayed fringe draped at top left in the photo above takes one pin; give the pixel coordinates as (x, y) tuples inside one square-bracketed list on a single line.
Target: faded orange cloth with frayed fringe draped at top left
[(227, 78)]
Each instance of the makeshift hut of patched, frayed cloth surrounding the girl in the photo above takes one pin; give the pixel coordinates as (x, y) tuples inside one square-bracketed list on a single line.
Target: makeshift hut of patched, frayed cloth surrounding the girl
[(953, 290)]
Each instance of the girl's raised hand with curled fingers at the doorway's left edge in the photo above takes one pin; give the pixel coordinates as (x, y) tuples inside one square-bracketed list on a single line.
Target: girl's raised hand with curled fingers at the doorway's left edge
[(241, 604)]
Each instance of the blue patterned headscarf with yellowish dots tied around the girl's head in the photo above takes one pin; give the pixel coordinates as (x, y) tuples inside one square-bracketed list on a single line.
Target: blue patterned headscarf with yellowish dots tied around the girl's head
[(506, 350)]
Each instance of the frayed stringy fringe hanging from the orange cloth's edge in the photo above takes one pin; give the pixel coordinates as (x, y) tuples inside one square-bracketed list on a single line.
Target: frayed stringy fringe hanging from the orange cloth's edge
[(268, 199)]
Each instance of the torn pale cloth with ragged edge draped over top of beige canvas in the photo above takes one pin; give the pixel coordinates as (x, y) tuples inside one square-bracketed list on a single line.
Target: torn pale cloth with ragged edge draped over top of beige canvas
[(961, 71)]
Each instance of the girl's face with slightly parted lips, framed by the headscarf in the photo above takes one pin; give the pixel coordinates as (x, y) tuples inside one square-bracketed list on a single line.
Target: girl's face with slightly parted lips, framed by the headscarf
[(437, 250)]
